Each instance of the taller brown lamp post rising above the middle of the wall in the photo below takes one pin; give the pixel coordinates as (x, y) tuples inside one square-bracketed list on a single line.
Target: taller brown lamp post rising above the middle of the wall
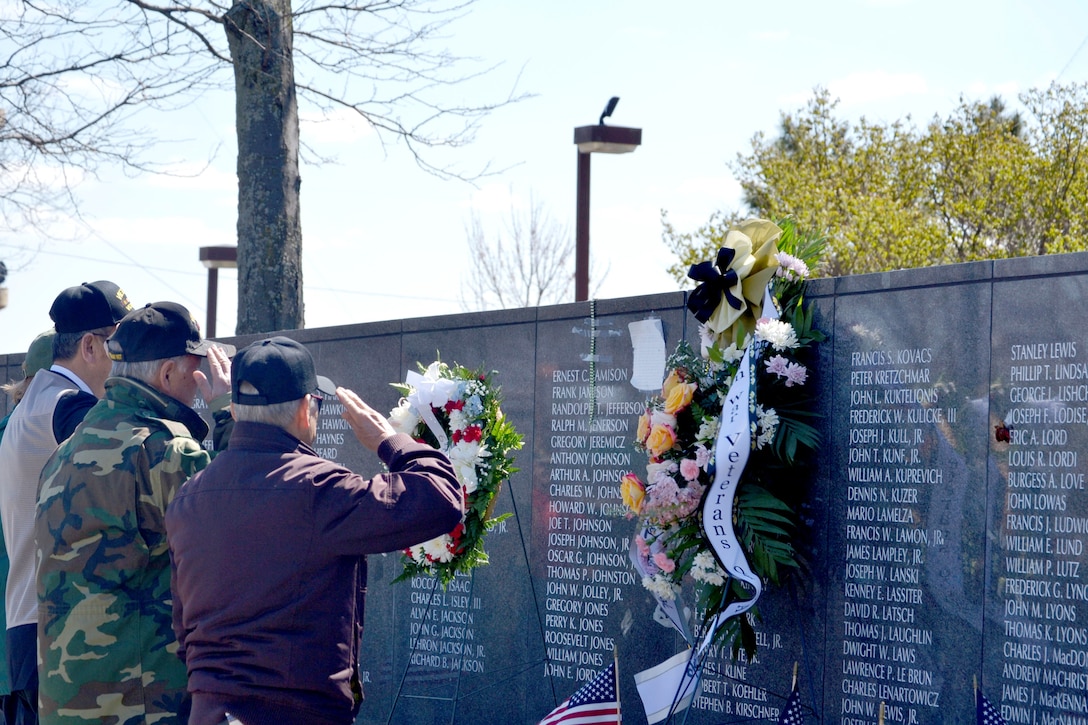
[(595, 140)]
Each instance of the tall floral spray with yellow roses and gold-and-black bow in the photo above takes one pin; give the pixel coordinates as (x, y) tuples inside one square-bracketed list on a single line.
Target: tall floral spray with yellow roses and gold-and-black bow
[(759, 263)]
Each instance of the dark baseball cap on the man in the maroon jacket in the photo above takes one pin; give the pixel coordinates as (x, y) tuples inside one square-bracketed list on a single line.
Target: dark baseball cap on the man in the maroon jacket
[(281, 371)]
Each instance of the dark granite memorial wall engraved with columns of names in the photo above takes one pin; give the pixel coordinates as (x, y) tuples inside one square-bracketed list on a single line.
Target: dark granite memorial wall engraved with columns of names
[(944, 532)]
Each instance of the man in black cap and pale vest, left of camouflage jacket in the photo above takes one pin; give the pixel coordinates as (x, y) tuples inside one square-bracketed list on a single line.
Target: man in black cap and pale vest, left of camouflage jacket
[(55, 402)]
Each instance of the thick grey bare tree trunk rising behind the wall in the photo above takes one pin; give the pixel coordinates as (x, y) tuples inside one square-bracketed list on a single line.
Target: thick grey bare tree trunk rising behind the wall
[(270, 238)]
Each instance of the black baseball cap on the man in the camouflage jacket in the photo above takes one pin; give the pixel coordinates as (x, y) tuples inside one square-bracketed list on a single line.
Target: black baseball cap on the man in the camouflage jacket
[(159, 331)]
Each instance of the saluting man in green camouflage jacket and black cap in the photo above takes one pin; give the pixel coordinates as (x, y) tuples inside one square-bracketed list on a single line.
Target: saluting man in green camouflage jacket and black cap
[(106, 648)]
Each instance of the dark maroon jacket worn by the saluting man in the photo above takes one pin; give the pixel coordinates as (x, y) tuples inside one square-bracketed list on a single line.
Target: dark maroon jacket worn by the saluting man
[(270, 574)]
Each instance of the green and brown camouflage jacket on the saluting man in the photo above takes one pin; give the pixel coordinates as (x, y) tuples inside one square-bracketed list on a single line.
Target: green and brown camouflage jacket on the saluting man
[(106, 643)]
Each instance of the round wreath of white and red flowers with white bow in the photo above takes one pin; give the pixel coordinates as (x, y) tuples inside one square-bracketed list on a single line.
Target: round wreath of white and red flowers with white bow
[(459, 412)]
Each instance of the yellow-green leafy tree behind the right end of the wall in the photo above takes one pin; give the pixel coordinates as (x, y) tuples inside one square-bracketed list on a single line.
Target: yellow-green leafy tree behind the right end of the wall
[(982, 183)]
